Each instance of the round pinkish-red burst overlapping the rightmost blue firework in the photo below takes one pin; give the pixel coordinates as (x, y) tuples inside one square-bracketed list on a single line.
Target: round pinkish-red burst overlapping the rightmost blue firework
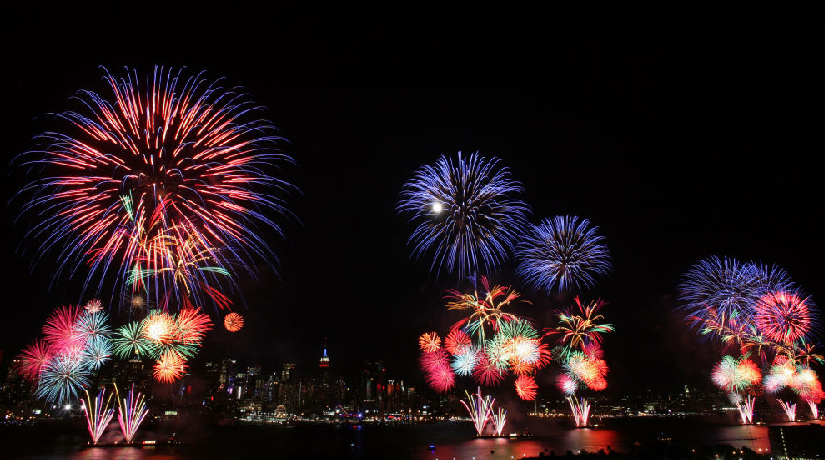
[(783, 317)]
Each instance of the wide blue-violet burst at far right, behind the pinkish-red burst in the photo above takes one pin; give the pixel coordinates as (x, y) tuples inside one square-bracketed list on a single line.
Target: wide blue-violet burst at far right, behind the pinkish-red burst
[(720, 294)]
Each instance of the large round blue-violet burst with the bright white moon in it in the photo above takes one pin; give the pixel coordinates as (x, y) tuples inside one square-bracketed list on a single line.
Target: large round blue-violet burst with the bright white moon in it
[(466, 212)]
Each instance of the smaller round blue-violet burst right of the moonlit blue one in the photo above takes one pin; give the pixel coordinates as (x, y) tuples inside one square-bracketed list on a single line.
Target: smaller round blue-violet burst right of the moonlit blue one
[(562, 253)]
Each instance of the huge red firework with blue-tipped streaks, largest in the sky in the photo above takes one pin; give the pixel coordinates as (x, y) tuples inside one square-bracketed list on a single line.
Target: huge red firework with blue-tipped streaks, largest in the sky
[(173, 178)]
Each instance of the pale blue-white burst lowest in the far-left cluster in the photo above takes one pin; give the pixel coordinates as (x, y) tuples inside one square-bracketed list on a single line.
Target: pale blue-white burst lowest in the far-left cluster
[(62, 377)]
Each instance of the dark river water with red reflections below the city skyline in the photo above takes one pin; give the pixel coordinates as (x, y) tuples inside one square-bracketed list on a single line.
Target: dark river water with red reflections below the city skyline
[(450, 440)]
